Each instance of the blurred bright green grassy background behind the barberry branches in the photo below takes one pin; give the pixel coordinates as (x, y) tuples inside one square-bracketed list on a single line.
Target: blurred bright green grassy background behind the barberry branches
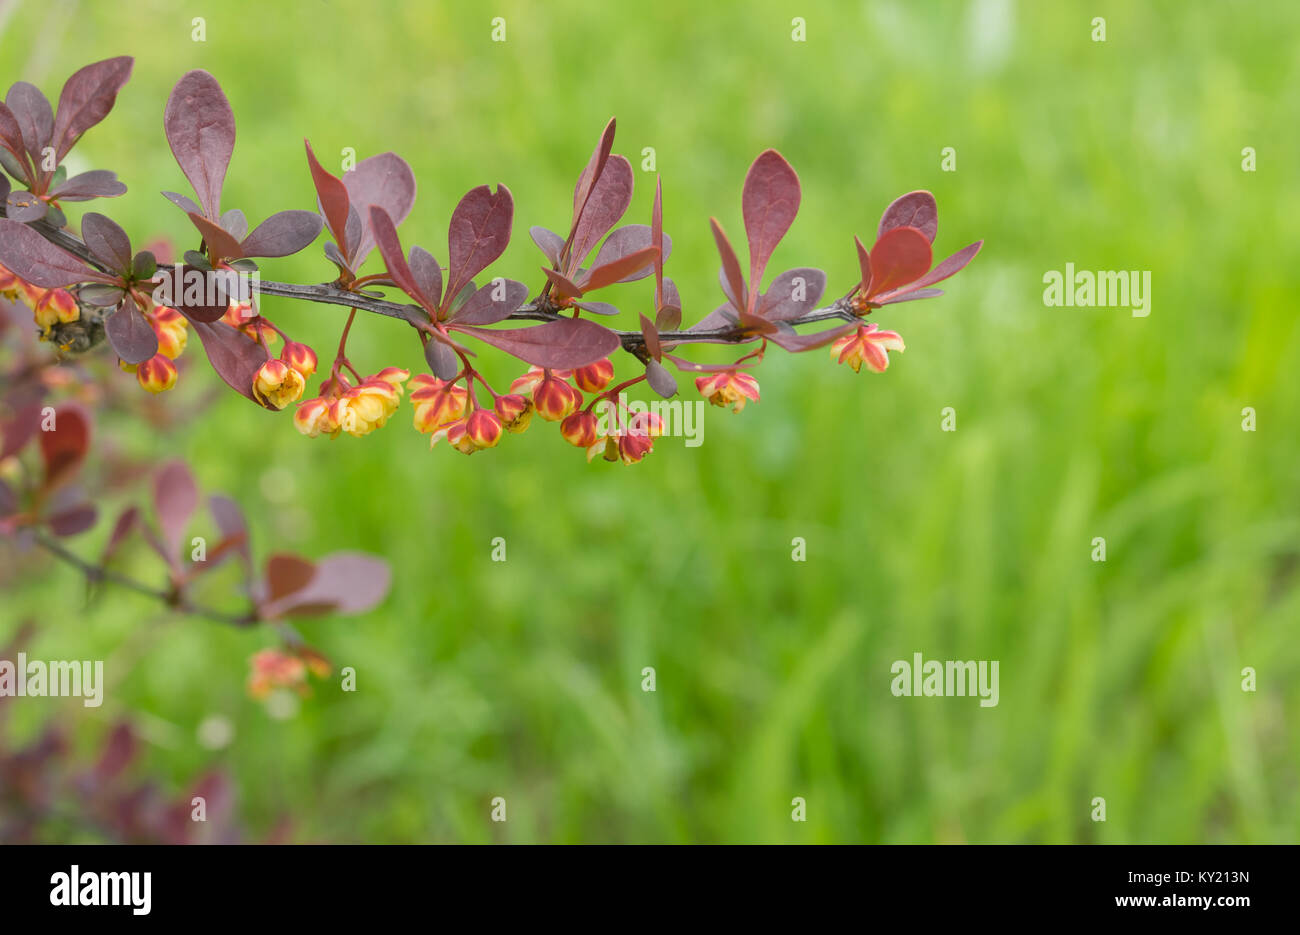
[(523, 679)]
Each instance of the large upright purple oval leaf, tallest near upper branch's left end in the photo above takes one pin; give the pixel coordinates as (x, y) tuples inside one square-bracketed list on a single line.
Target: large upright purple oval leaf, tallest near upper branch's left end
[(201, 129)]
